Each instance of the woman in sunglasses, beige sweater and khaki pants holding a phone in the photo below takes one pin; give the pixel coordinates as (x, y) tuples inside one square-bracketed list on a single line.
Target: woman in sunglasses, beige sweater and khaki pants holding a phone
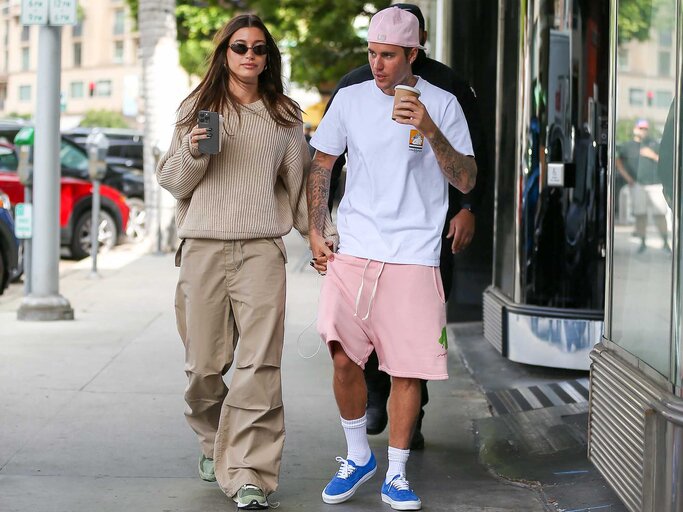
[(233, 209)]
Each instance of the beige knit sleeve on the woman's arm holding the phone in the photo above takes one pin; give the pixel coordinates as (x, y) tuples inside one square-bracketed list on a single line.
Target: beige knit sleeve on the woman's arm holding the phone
[(181, 168)]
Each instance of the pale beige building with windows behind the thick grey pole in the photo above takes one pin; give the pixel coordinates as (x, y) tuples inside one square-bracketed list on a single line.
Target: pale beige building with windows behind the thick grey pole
[(101, 68)]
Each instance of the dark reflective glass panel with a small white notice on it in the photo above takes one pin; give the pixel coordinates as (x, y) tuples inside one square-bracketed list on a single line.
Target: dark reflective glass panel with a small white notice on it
[(563, 175)]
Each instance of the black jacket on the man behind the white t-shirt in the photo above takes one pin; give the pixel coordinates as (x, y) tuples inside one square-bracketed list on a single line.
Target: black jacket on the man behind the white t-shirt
[(444, 78)]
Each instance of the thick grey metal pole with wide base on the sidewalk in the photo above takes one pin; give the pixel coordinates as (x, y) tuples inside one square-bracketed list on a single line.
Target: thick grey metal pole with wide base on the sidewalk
[(45, 302)]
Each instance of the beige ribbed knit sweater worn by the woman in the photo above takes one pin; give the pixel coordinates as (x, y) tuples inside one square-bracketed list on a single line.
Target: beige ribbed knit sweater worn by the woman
[(253, 188)]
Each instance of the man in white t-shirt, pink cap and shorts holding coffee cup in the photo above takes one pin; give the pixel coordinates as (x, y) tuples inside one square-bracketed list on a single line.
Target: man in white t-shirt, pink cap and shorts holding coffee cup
[(383, 289)]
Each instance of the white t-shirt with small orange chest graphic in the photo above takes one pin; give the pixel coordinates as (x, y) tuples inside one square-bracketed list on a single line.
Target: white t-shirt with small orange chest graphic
[(396, 198)]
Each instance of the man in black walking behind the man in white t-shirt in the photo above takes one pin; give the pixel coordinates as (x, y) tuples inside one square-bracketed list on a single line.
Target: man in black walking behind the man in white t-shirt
[(457, 232)]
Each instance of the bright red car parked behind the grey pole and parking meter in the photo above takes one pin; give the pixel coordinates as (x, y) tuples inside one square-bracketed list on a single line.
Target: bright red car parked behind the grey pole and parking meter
[(75, 206)]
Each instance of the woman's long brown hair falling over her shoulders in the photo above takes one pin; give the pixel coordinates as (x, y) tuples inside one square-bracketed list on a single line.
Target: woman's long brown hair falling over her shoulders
[(213, 92)]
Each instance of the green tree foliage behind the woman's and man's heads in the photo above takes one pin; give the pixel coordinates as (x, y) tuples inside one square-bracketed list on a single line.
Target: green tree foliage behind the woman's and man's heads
[(320, 34)]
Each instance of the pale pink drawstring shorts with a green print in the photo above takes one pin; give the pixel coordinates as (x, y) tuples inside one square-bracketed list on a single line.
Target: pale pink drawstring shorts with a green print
[(405, 318)]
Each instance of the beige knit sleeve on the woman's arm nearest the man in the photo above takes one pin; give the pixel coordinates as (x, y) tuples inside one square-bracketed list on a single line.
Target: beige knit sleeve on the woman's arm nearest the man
[(296, 166)]
